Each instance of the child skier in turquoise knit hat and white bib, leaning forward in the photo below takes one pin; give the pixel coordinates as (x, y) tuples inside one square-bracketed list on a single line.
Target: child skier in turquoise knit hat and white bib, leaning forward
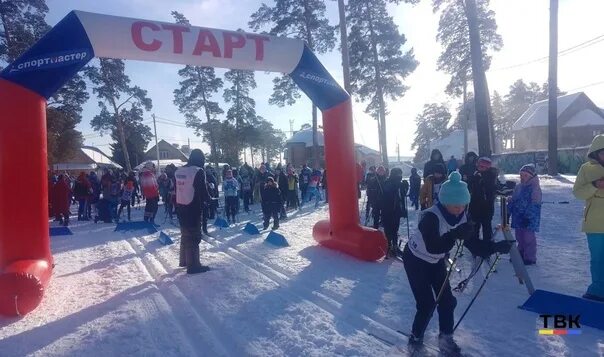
[(440, 226)]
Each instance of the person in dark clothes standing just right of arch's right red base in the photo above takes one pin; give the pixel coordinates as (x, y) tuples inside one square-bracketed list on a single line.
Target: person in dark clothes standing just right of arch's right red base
[(393, 208)]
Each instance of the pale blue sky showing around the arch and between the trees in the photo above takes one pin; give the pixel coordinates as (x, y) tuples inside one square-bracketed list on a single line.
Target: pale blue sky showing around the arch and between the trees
[(523, 25)]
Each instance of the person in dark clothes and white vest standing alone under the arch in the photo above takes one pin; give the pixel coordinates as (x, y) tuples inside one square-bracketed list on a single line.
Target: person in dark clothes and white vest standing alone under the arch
[(191, 195)]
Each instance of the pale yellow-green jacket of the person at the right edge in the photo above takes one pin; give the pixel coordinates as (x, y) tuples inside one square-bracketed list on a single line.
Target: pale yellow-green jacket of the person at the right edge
[(593, 220)]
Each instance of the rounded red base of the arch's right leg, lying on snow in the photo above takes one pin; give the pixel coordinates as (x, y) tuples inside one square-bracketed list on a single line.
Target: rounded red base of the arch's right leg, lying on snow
[(361, 242)]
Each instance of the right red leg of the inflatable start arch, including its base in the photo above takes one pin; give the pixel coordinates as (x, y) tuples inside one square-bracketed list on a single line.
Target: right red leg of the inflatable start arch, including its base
[(343, 231)]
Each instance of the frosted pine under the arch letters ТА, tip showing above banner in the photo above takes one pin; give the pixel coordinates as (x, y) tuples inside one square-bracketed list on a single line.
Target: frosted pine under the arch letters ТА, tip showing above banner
[(197, 87)]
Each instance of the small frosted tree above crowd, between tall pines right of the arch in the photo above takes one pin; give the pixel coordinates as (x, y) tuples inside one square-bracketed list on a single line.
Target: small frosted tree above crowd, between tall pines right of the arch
[(432, 124)]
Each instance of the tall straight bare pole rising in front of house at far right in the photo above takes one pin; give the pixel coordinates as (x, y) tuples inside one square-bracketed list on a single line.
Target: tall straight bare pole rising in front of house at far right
[(553, 89)]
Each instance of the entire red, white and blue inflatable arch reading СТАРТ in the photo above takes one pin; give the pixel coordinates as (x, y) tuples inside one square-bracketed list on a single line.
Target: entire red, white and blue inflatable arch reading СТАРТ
[(25, 85)]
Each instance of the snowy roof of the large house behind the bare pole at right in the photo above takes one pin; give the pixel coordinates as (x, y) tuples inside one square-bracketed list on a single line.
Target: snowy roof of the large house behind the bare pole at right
[(537, 114)]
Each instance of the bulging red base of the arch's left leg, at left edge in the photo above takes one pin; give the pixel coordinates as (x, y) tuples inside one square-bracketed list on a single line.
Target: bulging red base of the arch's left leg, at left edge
[(22, 286)]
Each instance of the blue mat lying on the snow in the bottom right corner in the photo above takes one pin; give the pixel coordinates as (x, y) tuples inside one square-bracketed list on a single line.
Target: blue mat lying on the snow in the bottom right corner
[(547, 302)]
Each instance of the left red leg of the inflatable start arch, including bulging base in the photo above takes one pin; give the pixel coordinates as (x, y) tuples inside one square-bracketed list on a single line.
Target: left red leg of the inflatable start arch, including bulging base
[(25, 259)]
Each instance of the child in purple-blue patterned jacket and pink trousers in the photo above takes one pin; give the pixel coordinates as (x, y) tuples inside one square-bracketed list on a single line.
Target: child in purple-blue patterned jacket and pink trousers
[(525, 209)]
